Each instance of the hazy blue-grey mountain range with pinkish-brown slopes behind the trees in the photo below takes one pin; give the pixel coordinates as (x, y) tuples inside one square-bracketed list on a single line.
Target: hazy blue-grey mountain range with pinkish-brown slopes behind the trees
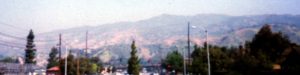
[(158, 35)]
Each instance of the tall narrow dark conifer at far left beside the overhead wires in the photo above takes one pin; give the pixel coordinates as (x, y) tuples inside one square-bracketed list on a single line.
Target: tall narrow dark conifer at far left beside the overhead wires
[(30, 51)]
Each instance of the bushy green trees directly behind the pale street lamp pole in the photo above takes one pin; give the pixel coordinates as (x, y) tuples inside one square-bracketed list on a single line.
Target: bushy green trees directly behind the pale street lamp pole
[(219, 60)]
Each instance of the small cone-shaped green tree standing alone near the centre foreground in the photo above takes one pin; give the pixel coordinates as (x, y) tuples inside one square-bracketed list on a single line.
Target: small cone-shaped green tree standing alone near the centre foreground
[(133, 62)]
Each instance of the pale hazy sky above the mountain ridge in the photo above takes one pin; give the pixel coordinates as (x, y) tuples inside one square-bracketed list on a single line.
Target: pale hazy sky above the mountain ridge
[(47, 15)]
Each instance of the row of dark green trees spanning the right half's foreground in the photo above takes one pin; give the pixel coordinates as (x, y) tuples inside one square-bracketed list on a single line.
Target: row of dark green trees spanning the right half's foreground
[(268, 53)]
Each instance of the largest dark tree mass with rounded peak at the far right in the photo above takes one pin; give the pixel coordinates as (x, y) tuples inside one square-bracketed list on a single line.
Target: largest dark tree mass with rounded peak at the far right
[(266, 49)]
